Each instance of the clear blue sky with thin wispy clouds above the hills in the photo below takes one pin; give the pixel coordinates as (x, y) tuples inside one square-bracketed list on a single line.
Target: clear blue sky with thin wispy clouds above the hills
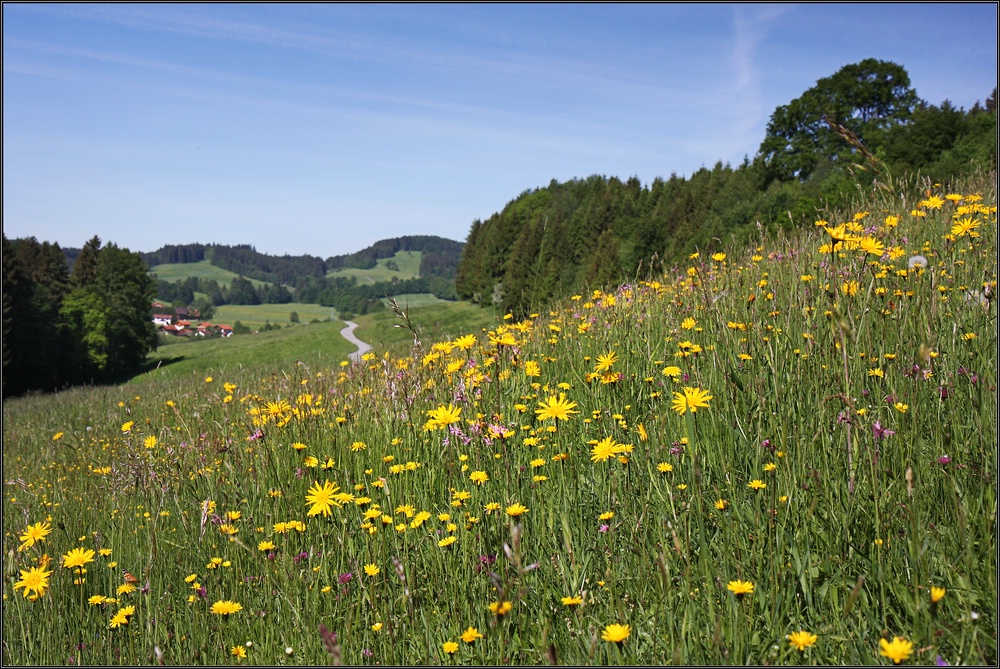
[(320, 129)]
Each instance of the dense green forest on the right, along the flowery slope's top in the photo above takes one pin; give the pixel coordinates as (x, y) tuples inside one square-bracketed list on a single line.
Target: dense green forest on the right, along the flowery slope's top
[(861, 124)]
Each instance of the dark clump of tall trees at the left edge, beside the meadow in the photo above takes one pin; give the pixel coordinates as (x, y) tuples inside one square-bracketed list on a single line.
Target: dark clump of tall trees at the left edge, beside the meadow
[(61, 329)]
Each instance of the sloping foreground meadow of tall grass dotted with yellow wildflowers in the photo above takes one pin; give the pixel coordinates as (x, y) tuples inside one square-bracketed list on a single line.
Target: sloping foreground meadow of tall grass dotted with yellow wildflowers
[(778, 455)]
